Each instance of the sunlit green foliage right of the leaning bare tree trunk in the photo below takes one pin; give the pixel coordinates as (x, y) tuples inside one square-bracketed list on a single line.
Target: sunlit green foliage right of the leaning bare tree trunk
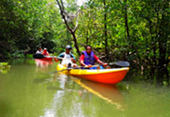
[(148, 23)]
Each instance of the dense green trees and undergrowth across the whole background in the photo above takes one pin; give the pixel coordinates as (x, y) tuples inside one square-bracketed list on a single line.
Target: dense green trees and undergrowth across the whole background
[(133, 30)]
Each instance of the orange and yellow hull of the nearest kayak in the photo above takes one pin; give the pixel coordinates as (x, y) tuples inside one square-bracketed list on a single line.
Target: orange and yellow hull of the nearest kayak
[(108, 76)]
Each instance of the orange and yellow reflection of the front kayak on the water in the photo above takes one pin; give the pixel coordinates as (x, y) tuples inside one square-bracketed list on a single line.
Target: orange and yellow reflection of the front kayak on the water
[(109, 93)]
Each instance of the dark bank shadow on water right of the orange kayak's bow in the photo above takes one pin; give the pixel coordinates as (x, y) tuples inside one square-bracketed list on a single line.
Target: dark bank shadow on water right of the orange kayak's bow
[(154, 76)]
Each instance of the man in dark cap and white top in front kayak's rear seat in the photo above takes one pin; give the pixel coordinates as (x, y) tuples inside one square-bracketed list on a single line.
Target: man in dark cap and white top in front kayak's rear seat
[(67, 58)]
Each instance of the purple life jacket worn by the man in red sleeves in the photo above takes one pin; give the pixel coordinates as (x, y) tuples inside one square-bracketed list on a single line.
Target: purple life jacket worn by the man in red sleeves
[(89, 59)]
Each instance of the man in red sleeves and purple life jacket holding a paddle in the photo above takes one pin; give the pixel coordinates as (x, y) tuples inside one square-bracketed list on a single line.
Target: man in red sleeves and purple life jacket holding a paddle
[(88, 59)]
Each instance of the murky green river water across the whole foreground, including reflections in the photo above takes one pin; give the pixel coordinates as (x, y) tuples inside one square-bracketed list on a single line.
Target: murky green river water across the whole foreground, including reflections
[(29, 90)]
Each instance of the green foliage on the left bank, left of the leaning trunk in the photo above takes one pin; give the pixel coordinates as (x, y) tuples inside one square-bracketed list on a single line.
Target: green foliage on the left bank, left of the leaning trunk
[(26, 25)]
